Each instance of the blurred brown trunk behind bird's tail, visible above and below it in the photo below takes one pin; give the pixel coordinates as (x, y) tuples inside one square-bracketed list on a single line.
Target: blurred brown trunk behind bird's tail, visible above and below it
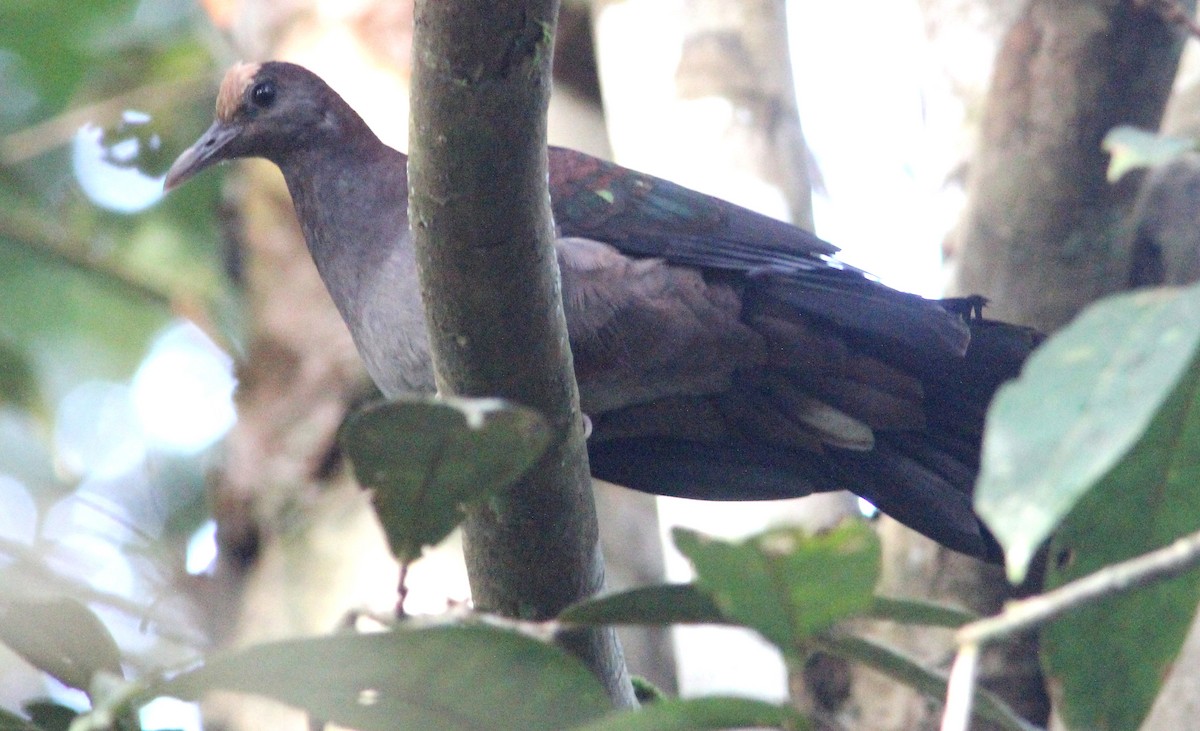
[(1041, 238)]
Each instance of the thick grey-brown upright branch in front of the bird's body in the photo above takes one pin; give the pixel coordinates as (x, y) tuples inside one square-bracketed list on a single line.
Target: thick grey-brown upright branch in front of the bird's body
[(485, 247)]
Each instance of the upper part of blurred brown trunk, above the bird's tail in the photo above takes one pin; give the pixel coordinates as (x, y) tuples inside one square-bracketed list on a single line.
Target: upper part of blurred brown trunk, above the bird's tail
[(1041, 236)]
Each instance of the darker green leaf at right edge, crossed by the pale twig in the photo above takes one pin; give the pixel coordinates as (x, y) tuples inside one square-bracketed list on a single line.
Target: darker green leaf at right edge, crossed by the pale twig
[(1151, 499)]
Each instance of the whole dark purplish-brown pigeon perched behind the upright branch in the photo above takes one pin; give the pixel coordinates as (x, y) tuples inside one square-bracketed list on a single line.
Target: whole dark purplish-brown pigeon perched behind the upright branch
[(721, 355)]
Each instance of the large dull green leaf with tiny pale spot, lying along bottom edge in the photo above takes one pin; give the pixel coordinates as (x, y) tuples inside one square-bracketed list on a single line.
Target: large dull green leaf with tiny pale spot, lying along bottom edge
[(442, 679)]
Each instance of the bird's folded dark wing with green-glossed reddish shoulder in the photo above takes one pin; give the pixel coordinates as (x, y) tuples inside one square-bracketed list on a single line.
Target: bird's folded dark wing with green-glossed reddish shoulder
[(647, 217)]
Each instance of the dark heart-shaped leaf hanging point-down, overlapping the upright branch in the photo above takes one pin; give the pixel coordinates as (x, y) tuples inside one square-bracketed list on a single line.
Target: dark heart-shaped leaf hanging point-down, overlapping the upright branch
[(425, 458)]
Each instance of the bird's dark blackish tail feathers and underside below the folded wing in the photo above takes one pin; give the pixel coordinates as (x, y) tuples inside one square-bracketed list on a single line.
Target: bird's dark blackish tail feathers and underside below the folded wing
[(832, 411)]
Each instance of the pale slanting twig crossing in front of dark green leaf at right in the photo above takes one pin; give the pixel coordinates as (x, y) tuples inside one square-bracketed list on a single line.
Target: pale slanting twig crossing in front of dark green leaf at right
[(1018, 616)]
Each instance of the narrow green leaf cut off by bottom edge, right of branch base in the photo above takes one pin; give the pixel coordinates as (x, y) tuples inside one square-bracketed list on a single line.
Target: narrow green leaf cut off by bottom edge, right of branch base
[(698, 715)]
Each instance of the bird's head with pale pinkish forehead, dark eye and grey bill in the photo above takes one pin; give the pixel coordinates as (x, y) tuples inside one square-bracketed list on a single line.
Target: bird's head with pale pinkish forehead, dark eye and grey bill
[(263, 111)]
